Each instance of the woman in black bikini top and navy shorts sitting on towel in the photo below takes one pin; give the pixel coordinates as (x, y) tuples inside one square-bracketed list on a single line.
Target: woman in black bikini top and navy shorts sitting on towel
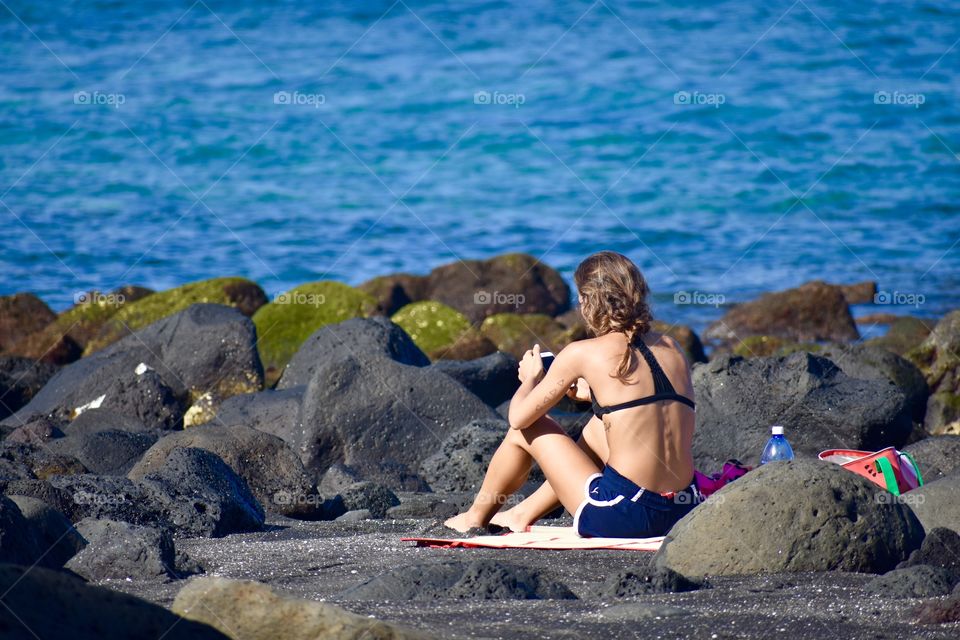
[(631, 473)]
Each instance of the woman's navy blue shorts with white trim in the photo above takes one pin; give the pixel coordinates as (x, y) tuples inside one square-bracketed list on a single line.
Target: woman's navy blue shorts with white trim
[(616, 507)]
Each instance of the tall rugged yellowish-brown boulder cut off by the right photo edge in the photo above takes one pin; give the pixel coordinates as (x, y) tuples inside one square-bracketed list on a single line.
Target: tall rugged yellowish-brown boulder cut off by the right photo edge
[(938, 357)]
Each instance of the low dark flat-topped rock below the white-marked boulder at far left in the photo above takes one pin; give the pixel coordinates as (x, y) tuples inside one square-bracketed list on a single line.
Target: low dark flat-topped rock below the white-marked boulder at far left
[(105, 452)]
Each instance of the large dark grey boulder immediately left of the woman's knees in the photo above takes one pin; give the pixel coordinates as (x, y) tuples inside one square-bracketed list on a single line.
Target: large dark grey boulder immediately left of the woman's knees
[(379, 416)]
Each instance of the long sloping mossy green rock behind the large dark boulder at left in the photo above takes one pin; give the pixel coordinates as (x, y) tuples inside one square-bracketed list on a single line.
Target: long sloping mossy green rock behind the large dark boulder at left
[(245, 295)]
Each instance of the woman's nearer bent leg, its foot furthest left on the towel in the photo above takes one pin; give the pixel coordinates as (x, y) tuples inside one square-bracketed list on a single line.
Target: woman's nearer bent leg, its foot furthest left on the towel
[(565, 465)]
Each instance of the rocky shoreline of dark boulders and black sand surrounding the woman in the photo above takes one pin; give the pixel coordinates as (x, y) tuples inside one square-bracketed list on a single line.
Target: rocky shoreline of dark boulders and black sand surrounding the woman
[(176, 442)]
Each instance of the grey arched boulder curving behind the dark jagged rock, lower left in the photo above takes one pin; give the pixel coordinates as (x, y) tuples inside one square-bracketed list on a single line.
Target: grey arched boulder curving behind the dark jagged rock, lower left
[(270, 468)]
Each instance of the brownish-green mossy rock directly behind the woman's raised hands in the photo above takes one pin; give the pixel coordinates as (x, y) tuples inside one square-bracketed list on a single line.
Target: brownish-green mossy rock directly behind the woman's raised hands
[(515, 333)]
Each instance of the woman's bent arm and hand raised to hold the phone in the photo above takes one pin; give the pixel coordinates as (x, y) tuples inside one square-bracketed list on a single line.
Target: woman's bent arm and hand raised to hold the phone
[(536, 396)]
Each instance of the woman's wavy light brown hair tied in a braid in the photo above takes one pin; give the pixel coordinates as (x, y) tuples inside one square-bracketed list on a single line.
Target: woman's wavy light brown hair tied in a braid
[(613, 296)]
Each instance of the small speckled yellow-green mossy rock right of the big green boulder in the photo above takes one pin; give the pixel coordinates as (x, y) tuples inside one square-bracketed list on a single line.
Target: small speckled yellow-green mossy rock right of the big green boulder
[(442, 332)]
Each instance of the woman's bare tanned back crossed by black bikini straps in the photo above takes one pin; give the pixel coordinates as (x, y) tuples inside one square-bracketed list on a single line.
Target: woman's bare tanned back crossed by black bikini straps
[(649, 444)]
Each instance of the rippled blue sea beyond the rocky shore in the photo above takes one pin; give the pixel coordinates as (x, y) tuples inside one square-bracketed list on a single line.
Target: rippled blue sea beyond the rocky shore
[(729, 147)]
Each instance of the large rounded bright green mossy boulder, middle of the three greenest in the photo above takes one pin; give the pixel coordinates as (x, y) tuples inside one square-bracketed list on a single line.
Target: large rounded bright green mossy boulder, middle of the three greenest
[(286, 322)]
